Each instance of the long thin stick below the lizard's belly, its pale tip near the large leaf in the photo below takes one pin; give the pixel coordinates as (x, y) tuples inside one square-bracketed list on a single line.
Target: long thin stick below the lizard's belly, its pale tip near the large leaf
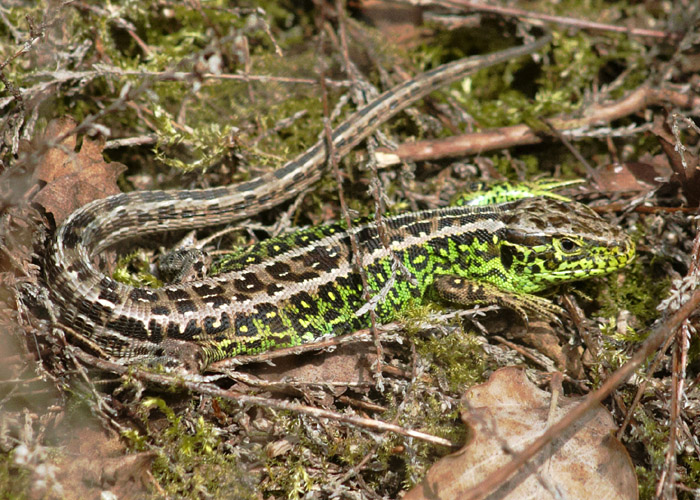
[(200, 385)]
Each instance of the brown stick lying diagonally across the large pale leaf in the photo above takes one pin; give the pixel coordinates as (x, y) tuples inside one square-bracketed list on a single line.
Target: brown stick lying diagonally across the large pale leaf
[(657, 338)]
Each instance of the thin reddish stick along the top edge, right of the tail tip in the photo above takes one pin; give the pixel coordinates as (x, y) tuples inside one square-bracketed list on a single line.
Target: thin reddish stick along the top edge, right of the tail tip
[(567, 21)]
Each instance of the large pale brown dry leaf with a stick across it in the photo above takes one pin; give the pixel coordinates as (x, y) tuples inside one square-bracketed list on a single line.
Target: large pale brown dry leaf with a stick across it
[(587, 462)]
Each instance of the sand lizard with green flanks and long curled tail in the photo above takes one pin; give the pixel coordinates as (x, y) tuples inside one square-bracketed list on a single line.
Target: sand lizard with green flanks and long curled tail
[(295, 288)]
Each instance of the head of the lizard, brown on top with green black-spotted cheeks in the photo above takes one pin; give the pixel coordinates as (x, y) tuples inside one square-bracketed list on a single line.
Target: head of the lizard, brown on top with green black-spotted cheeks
[(548, 242)]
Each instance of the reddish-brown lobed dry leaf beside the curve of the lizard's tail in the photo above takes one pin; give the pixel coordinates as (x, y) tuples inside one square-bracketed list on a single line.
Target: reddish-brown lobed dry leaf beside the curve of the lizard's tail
[(73, 178)]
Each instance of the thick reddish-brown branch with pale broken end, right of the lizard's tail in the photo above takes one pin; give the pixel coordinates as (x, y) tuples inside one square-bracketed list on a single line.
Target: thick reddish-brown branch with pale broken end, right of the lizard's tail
[(519, 135)]
